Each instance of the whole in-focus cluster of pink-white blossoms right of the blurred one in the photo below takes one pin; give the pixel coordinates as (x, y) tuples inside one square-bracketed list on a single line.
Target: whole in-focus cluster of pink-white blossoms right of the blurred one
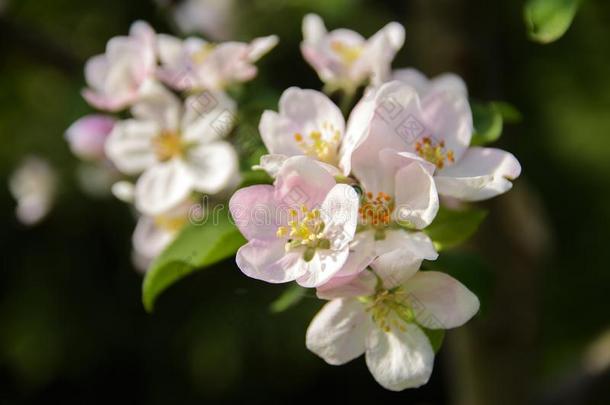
[(350, 199)]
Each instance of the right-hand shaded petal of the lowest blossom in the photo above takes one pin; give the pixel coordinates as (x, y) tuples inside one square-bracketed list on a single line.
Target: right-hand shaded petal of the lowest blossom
[(439, 301)]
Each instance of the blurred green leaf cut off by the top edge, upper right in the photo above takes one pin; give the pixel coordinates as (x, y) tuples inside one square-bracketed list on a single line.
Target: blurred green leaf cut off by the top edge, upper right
[(548, 20)]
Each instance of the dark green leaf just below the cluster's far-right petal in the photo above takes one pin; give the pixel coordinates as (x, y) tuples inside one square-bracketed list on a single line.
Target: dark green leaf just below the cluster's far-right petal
[(451, 227)]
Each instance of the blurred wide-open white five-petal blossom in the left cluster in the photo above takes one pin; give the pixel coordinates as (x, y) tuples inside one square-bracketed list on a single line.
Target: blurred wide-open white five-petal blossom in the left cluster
[(179, 148)]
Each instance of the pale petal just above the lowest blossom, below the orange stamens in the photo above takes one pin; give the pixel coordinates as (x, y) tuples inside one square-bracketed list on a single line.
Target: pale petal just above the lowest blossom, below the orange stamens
[(400, 255)]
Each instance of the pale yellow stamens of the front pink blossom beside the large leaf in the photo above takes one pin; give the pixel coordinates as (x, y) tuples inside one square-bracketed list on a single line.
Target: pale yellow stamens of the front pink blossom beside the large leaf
[(305, 229)]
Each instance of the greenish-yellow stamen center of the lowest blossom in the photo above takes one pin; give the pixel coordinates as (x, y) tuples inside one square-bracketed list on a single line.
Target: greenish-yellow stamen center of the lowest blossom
[(389, 308)]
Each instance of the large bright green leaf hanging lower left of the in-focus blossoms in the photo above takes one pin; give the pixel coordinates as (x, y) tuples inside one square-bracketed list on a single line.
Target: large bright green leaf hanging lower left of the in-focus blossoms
[(197, 246)]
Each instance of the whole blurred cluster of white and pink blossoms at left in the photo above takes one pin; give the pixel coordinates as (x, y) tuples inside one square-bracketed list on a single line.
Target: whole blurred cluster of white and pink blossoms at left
[(169, 142)]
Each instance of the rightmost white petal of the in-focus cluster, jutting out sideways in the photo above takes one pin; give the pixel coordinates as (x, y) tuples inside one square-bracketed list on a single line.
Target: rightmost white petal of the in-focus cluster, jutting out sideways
[(482, 173)]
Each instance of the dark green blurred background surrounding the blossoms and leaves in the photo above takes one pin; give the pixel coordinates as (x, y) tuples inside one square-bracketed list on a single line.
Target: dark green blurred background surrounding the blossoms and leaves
[(72, 327)]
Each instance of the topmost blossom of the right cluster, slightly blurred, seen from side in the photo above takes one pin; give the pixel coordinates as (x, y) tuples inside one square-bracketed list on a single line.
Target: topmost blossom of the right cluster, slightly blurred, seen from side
[(344, 59)]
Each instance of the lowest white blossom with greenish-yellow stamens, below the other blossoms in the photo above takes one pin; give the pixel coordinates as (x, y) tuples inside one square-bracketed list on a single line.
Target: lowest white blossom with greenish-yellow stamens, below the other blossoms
[(384, 322)]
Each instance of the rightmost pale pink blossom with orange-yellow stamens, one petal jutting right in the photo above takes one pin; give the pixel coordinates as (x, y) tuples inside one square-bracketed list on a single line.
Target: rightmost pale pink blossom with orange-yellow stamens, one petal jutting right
[(433, 121)]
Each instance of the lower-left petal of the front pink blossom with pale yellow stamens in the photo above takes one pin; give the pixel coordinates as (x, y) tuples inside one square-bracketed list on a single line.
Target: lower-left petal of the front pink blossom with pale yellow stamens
[(268, 261)]
